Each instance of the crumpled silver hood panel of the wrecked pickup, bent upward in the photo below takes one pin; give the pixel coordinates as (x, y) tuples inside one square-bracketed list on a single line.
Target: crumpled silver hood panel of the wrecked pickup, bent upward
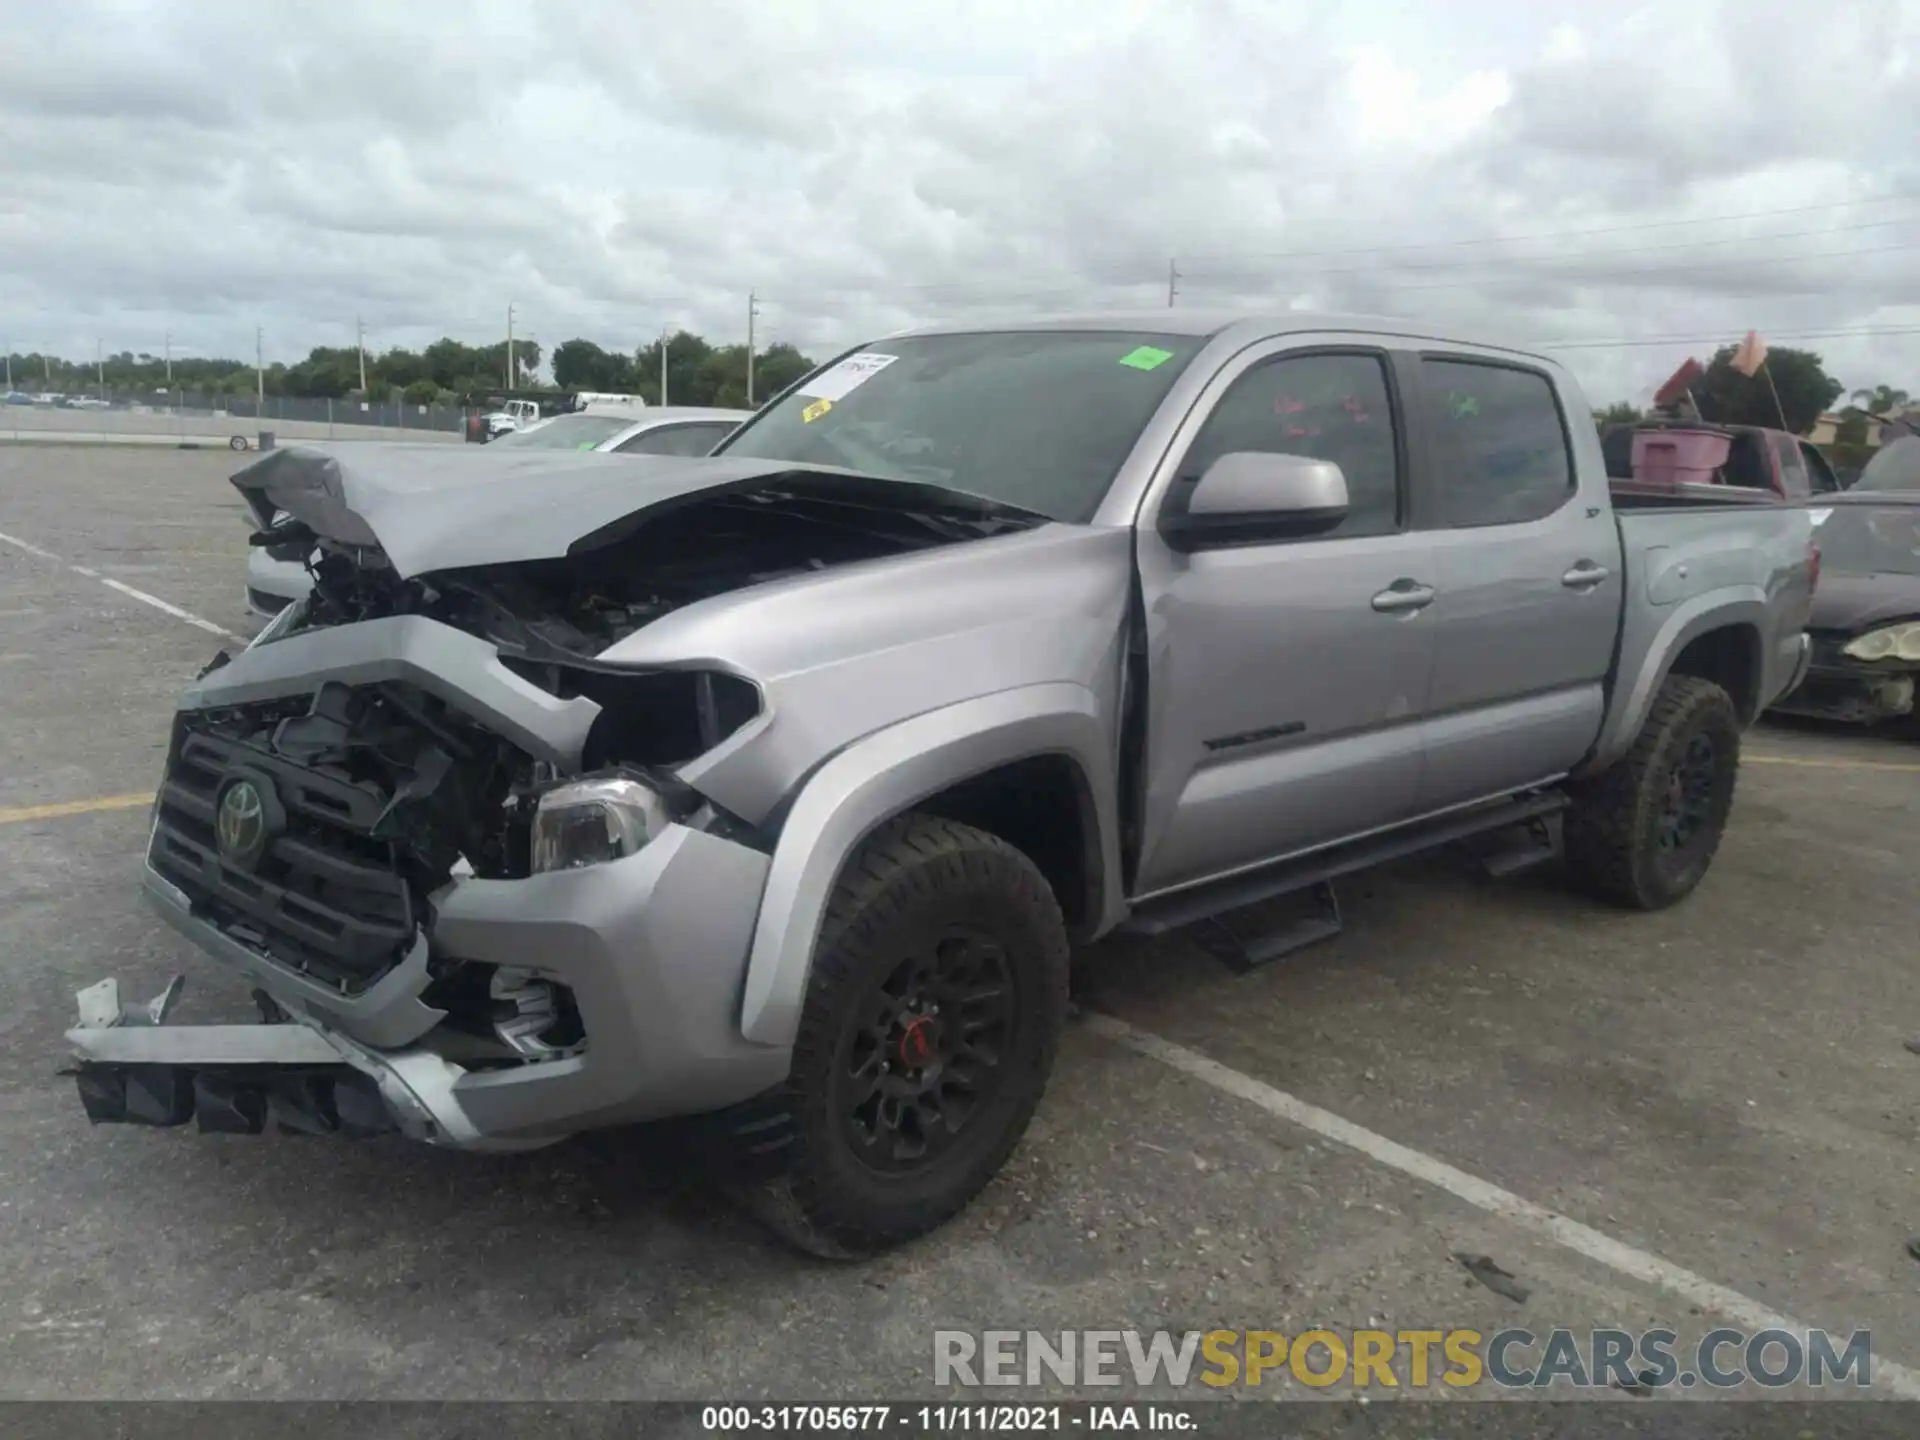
[(446, 508)]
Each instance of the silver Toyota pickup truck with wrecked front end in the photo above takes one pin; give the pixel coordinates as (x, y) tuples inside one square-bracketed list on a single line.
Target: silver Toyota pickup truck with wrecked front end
[(773, 790)]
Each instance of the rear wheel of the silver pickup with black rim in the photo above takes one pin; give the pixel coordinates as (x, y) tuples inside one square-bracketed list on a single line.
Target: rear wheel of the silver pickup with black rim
[(1644, 832)]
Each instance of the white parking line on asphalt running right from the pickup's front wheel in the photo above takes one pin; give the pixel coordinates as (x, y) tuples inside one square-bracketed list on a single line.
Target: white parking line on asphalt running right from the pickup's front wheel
[(1890, 1378)]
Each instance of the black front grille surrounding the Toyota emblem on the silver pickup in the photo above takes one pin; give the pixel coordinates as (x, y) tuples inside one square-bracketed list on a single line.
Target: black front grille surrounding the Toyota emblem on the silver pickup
[(325, 898)]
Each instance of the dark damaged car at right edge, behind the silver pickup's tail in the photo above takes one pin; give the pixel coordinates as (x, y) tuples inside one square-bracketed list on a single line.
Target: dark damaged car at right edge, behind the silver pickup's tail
[(1865, 623)]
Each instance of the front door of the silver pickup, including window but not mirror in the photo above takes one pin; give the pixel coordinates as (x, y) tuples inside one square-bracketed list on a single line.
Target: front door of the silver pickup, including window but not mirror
[(1285, 677)]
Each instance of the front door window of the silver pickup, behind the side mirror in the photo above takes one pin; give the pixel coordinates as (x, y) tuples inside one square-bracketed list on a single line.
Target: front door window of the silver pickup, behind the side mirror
[(1333, 408)]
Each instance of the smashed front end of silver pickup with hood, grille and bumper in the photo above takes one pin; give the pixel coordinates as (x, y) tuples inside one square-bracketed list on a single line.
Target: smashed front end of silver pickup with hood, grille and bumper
[(441, 836)]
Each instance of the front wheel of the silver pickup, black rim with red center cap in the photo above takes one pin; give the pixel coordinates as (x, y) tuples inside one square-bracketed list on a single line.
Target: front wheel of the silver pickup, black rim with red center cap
[(930, 1028)]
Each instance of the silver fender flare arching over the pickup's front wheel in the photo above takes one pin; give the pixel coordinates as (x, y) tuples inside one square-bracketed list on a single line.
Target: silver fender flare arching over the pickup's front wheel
[(875, 780)]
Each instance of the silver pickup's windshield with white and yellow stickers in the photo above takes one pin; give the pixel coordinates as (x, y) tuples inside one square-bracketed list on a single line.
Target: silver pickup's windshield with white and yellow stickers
[(1040, 420)]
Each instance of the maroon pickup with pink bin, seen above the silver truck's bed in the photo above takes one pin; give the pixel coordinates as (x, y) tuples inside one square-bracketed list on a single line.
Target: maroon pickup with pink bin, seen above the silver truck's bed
[(1675, 460)]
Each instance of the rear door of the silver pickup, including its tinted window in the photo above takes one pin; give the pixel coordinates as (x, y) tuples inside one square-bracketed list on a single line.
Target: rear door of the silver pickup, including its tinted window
[(1529, 581)]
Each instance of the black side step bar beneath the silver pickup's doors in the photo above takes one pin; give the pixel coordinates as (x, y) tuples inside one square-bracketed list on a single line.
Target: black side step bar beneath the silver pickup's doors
[(1316, 873)]
